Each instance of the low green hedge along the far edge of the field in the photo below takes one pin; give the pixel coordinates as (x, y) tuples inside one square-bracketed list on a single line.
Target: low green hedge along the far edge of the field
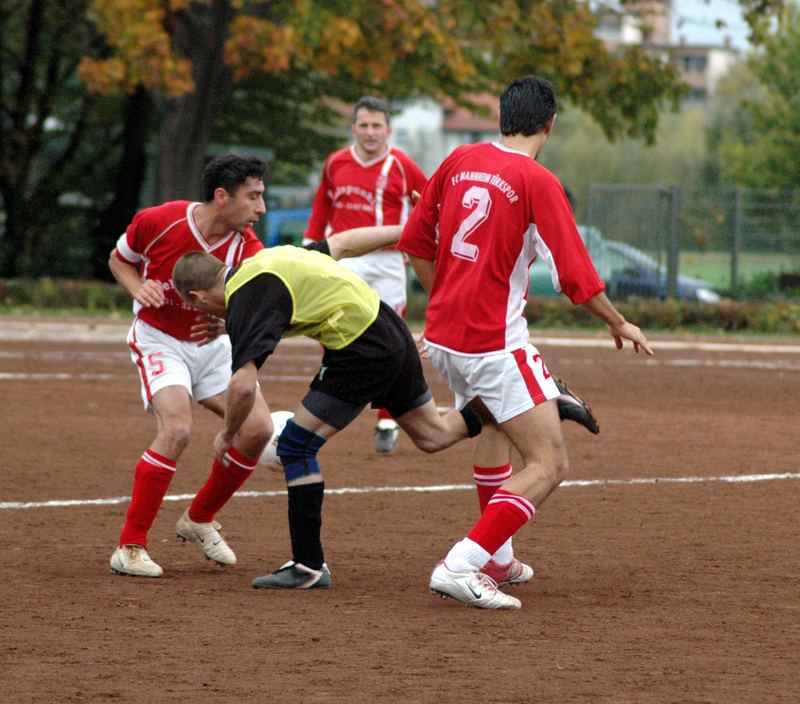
[(775, 317)]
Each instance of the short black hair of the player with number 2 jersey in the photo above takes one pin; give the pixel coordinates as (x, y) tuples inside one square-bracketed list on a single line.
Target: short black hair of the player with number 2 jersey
[(526, 106)]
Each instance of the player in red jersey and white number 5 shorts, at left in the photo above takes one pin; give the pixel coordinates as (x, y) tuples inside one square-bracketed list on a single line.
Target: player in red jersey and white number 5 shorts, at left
[(181, 354)]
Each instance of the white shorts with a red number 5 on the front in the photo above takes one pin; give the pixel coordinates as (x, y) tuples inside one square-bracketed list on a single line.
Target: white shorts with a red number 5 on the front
[(162, 361)]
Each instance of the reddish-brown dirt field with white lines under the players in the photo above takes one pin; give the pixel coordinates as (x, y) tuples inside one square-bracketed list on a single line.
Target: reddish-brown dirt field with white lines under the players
[(658, 577)]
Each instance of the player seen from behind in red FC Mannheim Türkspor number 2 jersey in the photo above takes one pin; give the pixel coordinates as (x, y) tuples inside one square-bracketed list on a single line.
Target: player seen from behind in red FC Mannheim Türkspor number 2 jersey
[(485, 215)]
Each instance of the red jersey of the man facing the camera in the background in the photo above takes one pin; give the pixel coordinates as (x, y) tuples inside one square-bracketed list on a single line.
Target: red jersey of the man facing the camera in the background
[(356, 193)]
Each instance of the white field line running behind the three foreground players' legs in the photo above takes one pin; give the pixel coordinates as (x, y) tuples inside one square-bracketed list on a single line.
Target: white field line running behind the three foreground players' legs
[(437, 488)]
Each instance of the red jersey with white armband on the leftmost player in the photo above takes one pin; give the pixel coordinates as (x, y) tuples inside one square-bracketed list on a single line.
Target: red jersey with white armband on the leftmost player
[(155, 240)]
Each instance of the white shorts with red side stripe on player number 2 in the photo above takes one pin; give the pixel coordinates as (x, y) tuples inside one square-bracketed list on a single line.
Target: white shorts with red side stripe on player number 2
[(508, 383)]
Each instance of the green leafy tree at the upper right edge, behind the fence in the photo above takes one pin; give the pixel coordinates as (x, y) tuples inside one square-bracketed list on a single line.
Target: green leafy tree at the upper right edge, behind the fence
[(760, 138)]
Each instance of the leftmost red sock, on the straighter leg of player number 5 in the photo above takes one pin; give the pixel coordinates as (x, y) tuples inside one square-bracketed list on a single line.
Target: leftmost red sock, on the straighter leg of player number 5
[(151, 480)]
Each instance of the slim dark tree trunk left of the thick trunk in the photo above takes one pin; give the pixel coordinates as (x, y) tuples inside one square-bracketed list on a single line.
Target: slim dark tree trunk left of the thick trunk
[(128, 185)]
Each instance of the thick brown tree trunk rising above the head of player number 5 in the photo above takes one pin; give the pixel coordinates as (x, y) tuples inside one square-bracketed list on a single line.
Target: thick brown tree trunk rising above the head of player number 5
[(187, 123)]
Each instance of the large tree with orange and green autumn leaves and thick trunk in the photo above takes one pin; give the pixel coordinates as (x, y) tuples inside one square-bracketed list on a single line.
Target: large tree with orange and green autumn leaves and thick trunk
[(194, 57)]
